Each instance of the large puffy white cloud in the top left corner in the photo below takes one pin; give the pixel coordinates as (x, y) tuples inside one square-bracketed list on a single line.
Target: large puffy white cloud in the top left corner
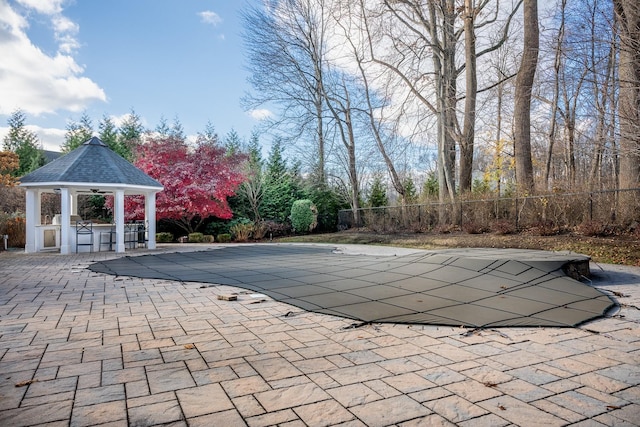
[(36, 82)]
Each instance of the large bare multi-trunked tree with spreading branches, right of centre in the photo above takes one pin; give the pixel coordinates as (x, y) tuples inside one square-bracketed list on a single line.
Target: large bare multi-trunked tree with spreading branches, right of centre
[(417, 42)]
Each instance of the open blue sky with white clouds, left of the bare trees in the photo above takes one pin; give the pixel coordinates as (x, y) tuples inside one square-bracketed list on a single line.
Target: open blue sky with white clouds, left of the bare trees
[(162, 58)]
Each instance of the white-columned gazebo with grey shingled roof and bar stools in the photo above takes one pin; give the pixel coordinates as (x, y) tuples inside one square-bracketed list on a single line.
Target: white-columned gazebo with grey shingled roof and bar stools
[(92, 168)]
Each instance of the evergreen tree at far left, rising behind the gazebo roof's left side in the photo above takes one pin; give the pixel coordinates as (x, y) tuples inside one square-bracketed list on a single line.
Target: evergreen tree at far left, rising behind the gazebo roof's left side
[(24, 143)]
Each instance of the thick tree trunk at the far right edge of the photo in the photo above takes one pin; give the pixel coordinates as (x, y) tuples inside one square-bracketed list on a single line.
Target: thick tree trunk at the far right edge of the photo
[(628, 20)]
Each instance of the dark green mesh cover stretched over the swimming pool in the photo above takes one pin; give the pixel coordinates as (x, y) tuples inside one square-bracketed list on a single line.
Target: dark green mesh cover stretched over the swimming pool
[(458, 287)]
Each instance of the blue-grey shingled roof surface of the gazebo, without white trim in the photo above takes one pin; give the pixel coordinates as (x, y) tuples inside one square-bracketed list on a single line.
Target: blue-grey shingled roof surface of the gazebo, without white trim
[(92, 162)]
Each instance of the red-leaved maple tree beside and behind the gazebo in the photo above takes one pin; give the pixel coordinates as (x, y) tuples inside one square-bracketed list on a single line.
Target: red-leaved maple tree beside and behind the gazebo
[(197, 181)]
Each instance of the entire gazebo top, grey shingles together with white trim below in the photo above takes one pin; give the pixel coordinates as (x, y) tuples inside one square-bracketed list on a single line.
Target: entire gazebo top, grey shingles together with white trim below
[(93, 168)]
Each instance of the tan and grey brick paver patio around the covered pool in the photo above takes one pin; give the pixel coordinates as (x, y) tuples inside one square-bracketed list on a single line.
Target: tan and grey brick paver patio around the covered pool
[(81, 348)]
